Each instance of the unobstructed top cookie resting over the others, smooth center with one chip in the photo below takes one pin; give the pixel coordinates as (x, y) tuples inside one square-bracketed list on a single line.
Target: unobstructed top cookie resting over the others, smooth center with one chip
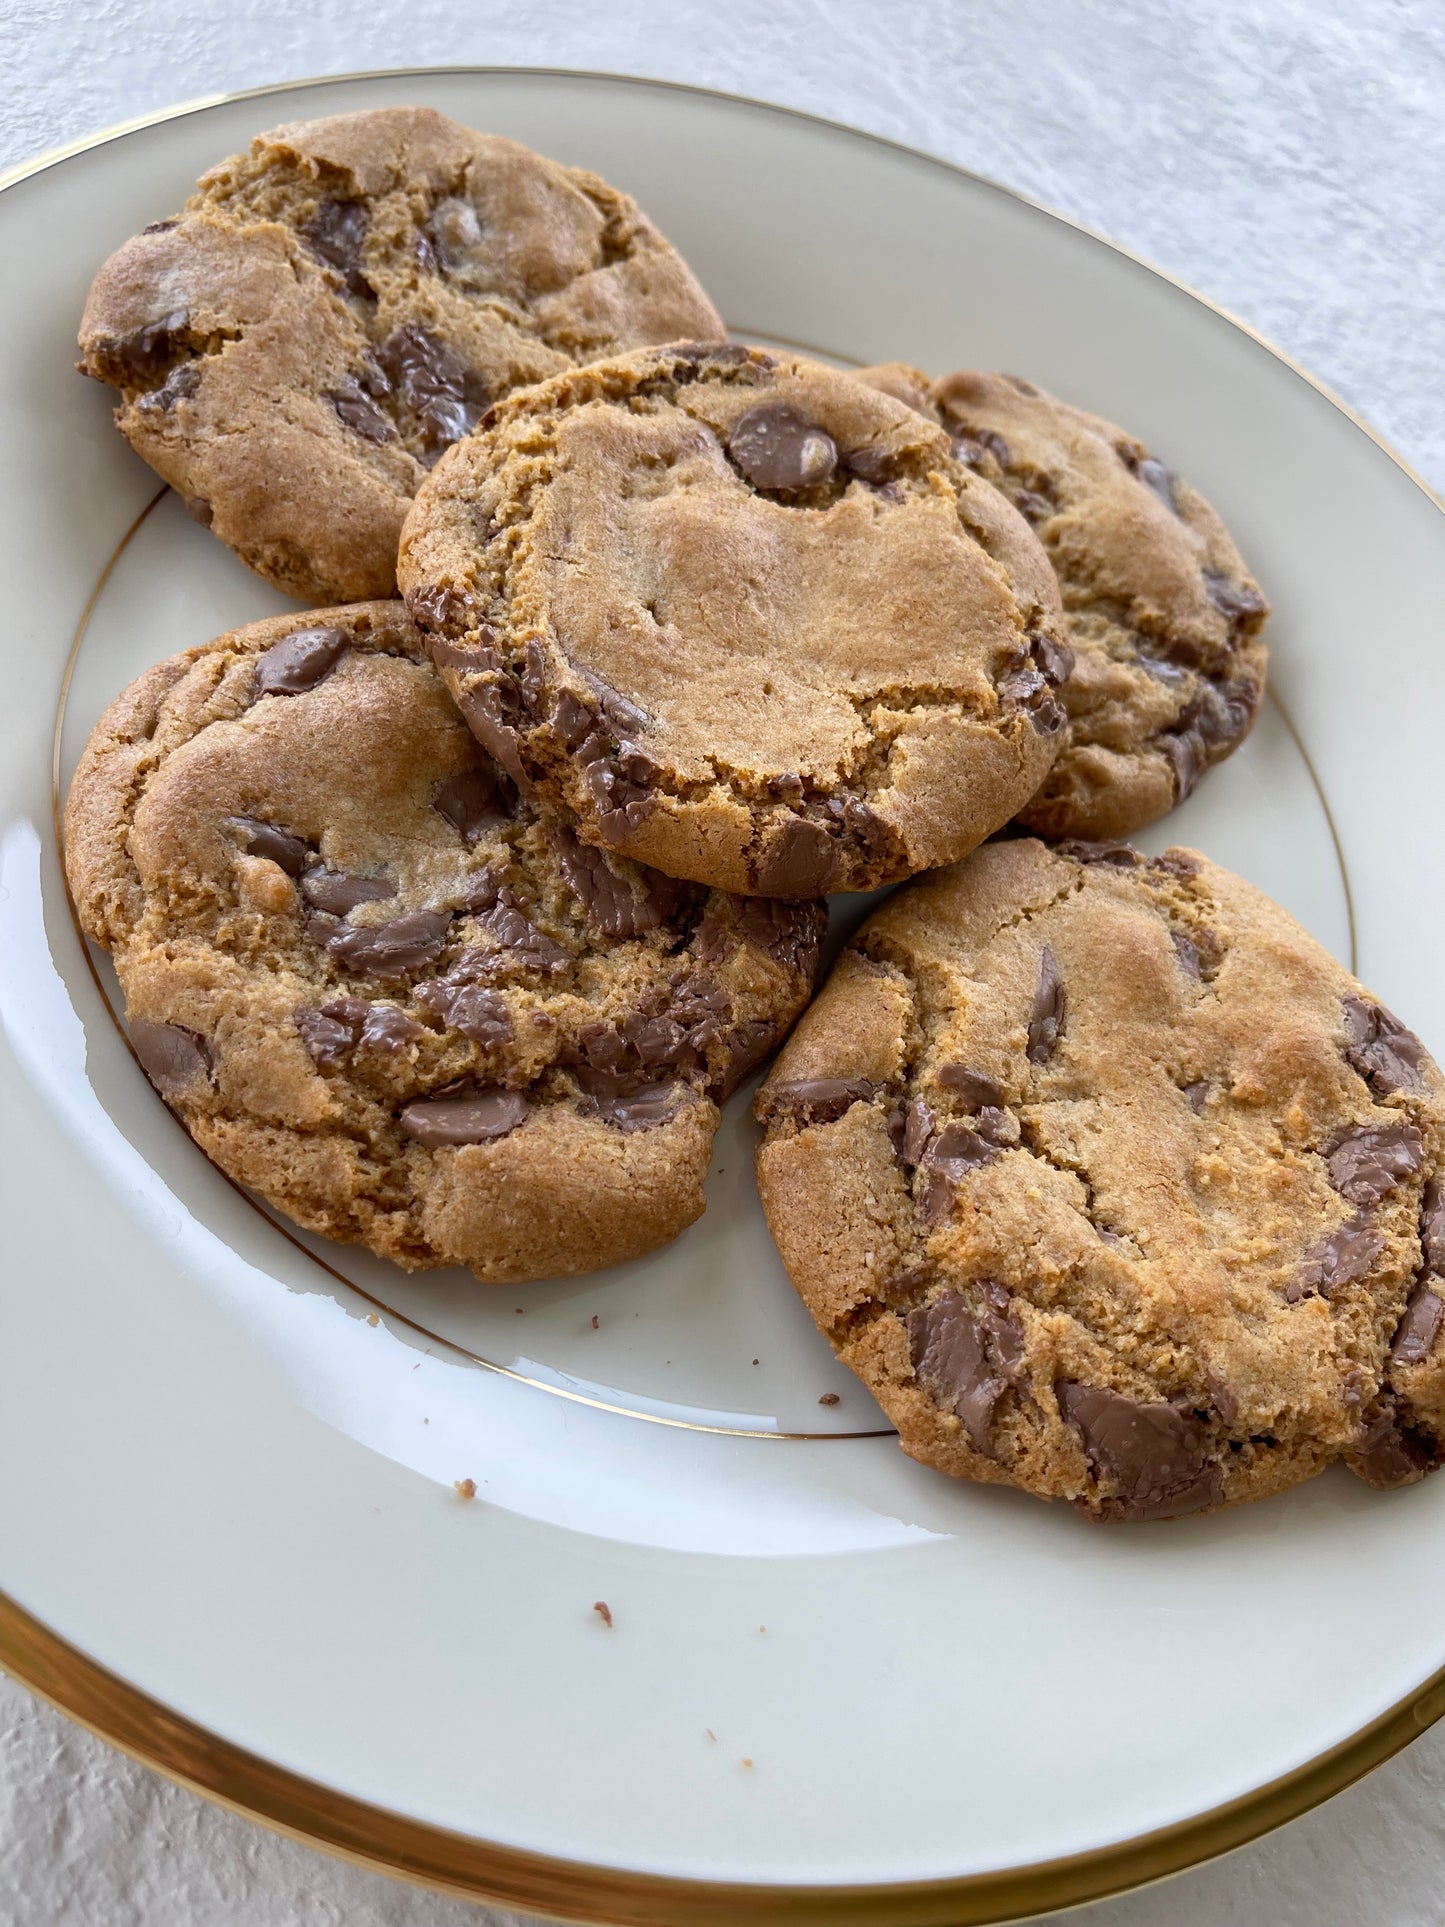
[(747, 618)]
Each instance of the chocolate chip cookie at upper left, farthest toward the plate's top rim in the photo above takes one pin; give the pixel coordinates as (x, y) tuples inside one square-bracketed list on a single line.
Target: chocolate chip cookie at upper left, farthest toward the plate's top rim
[(338, 305)]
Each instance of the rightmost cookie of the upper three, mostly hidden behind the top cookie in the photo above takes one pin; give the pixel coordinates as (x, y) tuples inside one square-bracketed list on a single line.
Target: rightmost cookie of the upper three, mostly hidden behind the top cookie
[(1165, 618)]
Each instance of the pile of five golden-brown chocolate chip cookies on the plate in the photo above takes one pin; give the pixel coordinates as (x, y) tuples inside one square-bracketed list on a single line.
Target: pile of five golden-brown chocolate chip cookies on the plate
[(450, 914)]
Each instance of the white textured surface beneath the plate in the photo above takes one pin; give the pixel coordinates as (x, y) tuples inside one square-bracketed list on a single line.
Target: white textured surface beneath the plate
[(1288, 157)]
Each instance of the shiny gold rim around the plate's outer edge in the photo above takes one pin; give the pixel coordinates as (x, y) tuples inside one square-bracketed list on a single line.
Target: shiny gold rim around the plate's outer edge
[(485, 1870)]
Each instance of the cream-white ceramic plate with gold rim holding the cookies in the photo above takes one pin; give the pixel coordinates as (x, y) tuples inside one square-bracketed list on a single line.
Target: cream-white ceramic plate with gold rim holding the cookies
[(835, 1685)]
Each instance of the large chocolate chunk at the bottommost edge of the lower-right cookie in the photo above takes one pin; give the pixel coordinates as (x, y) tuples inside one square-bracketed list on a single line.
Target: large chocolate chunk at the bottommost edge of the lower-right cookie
[(1153, 1452)]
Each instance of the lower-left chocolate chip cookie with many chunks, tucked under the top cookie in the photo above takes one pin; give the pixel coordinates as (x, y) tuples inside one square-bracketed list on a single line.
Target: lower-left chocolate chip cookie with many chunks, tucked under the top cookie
[(384, 991)]
